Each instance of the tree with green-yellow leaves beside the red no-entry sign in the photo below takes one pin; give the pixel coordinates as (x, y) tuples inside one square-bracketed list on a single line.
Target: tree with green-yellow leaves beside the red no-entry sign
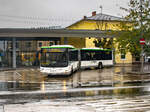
[(136, 26)]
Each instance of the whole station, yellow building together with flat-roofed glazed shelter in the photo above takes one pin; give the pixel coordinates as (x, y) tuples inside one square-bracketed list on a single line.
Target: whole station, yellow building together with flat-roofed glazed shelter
[(29, 41)]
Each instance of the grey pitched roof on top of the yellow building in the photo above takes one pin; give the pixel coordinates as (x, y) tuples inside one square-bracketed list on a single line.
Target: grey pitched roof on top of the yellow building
[(105, 17)]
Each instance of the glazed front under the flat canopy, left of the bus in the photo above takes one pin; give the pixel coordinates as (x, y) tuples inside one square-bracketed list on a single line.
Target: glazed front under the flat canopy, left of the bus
[(27, 51)]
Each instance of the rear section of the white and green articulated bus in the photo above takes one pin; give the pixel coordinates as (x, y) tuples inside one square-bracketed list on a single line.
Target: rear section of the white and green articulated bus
[(96, 57)]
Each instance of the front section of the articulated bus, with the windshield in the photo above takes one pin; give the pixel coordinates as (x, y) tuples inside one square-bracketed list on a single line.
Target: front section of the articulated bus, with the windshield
[(59, 59)]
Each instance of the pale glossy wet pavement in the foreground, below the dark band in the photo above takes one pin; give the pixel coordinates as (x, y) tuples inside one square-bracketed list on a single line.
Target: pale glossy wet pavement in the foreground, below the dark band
[(103, 103)]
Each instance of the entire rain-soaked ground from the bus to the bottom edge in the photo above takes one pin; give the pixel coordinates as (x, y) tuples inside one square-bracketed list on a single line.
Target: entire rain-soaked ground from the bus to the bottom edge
[(120, 89)]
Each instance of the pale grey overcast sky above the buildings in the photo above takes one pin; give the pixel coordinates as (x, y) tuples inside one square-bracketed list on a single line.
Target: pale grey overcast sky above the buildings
[(44, 13)]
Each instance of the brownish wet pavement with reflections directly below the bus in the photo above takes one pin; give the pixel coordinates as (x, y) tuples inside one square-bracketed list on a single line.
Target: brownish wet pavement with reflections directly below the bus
[(33, 79)]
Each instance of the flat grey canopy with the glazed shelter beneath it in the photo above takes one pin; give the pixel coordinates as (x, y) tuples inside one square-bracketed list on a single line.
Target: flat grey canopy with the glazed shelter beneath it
[(21, 47)]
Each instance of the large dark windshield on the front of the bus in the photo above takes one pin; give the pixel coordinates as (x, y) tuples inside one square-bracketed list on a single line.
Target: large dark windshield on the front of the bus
[(53, 58)]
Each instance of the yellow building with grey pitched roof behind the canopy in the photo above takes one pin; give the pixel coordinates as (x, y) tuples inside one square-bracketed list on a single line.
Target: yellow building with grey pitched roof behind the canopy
[(98, 22)]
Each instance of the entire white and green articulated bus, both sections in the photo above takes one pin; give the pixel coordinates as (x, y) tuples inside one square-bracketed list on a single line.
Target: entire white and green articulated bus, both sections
[(65, 59)]
